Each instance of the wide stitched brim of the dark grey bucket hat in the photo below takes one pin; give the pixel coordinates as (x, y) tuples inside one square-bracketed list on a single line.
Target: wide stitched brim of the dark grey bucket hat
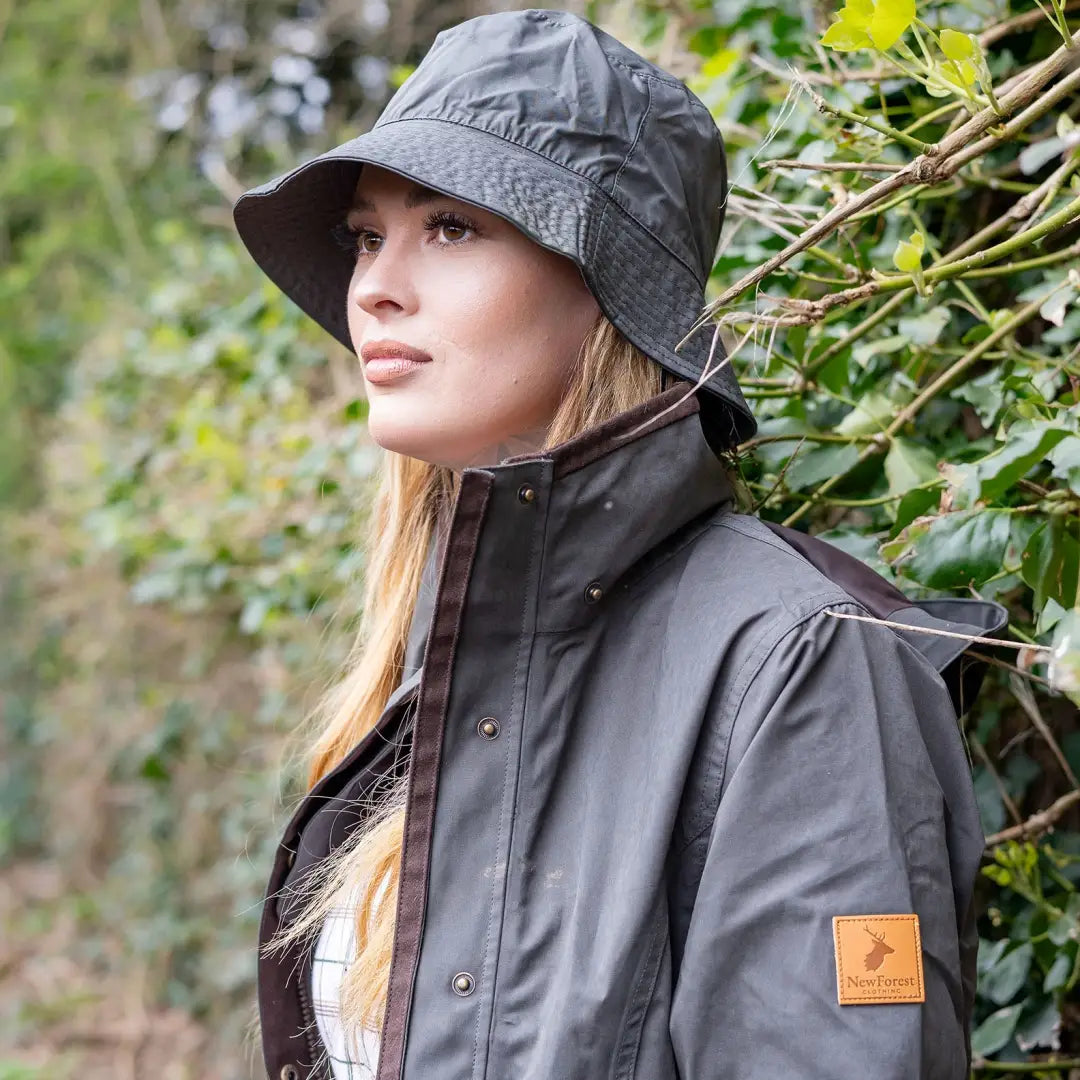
[(649, 293)]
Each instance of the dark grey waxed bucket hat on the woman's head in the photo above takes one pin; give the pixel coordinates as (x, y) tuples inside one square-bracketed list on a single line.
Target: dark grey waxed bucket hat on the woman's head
[(588, 148)]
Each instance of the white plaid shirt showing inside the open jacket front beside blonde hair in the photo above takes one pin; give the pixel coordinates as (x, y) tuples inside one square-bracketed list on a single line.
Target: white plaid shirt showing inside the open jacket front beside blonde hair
[(334, 952)]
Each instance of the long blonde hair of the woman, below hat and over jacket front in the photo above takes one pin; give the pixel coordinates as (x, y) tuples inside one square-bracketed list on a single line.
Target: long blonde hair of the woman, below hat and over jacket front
[(611, 375)]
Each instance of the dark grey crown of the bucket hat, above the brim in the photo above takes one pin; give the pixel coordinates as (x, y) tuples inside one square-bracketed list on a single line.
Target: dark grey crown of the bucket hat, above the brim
[(555, 85)]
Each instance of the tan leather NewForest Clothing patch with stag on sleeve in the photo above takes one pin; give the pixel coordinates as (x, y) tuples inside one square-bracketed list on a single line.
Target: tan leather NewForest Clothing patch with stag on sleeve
[(879, 960)]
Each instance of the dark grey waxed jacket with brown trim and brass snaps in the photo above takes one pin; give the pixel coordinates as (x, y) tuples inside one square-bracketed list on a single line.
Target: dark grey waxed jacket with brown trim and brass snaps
[(694, 769)]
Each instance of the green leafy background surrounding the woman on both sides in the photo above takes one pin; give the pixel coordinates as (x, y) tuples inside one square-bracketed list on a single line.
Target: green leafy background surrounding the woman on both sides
[(185, 469)]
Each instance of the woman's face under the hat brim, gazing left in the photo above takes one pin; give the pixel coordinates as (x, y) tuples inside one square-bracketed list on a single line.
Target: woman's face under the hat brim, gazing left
[(496, 320)]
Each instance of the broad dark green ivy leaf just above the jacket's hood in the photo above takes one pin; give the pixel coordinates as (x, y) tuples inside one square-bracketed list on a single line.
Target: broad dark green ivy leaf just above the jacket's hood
[(961, 549)]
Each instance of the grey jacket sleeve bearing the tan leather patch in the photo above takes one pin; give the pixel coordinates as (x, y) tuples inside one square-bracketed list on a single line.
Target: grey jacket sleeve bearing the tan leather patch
[(843, 745)]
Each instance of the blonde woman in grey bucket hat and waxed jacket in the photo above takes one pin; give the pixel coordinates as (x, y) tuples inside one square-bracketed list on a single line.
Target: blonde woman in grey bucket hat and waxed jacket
[(612, 787)]
